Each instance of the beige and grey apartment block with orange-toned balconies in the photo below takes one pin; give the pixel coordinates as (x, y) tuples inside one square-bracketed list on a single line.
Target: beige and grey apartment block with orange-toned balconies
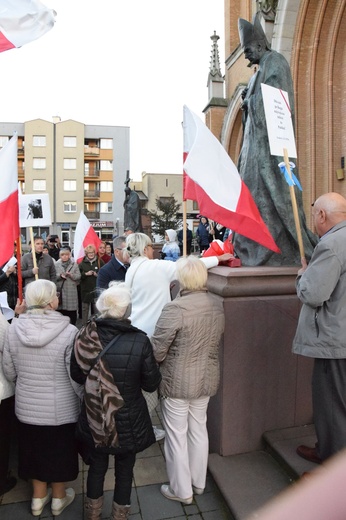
[(81, 167)]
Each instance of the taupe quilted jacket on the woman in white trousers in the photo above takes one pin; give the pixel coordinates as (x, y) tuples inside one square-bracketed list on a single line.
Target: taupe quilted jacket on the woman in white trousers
[(186, 344)]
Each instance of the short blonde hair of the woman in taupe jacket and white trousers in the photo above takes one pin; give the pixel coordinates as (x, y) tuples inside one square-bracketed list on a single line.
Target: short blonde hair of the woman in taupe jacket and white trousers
[(191, 273)]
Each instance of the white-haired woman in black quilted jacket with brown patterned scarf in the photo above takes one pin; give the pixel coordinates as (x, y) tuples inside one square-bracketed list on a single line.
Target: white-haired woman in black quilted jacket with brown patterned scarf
[(130, 367)]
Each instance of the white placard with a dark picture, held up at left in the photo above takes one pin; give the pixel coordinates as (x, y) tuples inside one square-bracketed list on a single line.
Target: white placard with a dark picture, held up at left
[(34, 210)]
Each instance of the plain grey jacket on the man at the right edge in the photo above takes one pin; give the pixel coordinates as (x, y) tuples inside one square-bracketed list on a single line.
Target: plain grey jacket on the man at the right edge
[(321, 331)]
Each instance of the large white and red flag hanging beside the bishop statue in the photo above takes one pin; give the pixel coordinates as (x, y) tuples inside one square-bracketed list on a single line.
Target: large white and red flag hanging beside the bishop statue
[(212, 179)]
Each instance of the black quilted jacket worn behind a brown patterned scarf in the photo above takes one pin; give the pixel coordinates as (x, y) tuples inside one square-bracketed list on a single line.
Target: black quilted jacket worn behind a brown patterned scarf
[(134, 368)]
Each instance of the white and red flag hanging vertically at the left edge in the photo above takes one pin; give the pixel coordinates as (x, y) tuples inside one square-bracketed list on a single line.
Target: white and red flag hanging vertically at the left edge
[(9, 210)]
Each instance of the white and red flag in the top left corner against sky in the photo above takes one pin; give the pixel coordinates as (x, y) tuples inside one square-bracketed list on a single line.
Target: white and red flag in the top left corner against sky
[(22, 21)]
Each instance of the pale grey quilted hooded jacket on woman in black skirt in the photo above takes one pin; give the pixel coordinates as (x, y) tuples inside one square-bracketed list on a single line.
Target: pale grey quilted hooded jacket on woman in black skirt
[(36, 357)]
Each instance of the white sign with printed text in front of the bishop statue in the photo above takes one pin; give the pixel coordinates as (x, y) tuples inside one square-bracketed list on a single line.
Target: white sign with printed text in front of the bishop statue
[(279, 121)]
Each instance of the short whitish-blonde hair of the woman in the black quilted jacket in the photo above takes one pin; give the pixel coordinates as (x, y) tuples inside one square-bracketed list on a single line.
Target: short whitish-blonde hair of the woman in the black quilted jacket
[(113, 302)]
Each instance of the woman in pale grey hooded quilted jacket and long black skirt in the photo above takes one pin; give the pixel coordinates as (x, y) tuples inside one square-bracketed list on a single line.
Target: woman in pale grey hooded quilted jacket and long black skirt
[(36, 357)]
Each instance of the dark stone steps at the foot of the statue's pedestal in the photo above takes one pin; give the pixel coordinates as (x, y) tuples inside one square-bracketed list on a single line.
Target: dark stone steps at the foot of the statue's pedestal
[(247, 481)]
